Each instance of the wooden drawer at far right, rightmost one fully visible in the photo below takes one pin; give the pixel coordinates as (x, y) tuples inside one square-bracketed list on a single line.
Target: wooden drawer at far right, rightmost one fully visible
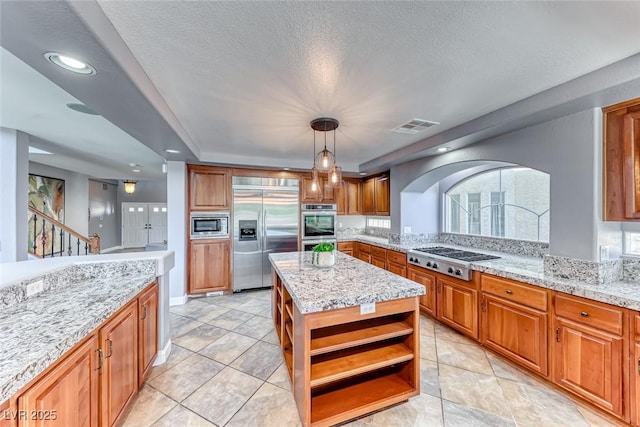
[(606, 318)]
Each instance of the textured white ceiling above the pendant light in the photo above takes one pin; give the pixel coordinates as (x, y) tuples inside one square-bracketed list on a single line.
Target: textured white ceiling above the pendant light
[(245, 78)]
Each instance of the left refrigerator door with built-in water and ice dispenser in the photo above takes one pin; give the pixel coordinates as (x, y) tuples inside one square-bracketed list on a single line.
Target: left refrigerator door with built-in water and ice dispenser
[(247, 254)]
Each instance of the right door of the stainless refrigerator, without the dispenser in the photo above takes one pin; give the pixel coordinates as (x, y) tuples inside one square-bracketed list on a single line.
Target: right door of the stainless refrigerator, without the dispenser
[(280, 227)]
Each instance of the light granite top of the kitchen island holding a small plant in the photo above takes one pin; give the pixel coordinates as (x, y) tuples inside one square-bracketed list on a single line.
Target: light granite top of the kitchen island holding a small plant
[(350, 282)]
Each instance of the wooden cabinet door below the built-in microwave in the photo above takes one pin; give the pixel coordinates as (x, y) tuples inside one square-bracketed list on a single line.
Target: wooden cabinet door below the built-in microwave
[(209, 266)]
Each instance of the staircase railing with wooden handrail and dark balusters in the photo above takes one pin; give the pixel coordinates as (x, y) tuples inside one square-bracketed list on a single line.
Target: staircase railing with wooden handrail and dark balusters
[(49, 237)]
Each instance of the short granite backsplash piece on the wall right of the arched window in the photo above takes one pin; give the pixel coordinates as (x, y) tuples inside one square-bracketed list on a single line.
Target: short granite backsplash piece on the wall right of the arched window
[(585, 271)]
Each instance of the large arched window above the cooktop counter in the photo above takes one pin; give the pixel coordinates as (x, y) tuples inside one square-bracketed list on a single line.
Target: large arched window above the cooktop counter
[(509, 202)]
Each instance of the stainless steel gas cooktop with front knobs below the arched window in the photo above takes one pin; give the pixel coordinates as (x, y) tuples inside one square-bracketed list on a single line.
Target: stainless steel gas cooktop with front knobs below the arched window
[(453, 262)]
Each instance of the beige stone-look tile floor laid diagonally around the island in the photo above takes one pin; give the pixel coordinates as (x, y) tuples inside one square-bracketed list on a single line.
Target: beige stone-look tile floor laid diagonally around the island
[(226, 369)]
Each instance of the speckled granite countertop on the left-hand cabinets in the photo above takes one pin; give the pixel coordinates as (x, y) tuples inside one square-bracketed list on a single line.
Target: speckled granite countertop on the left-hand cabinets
[(34, 333)]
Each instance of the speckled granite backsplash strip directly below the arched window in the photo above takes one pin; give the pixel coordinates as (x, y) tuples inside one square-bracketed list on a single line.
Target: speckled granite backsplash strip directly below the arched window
[(519, 247)]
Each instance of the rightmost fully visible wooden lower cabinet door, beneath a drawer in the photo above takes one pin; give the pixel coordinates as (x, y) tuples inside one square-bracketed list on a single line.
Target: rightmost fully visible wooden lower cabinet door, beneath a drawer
[(589, 363)]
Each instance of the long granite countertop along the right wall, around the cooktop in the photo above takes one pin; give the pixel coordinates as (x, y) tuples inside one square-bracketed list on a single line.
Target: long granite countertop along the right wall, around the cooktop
[(530, 270)]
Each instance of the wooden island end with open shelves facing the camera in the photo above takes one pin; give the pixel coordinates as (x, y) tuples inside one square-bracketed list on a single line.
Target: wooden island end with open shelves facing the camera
[(348, 364)]
